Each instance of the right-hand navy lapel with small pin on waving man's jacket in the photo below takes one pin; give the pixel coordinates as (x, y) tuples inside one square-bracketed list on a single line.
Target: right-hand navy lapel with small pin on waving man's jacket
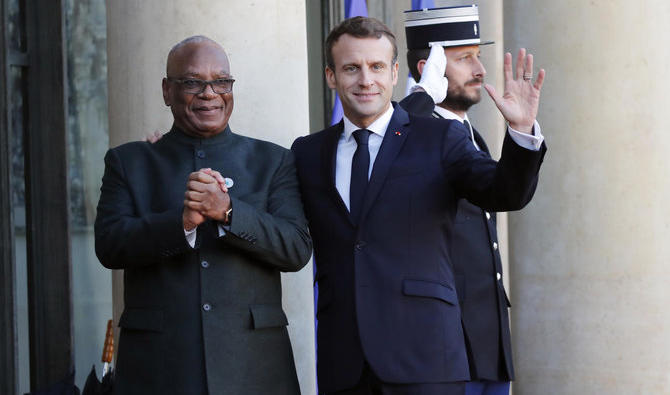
[(394, 138)]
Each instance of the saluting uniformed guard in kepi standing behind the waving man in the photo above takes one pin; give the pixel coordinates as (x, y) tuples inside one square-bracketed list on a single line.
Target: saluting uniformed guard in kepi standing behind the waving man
[(474, 249)]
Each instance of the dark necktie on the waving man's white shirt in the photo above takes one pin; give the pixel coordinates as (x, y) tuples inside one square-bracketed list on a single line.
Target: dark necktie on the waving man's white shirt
[(359, 173)]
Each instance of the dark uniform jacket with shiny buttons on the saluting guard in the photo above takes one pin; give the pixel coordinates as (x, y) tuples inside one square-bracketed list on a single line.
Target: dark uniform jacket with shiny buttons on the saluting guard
[(478, 272)]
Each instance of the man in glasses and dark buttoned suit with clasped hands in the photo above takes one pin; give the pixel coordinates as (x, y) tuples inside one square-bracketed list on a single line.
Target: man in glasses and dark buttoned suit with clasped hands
[(202, 253)]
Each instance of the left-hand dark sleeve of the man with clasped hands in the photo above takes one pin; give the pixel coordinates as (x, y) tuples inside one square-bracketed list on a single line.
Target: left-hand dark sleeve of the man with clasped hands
[(123, 237)]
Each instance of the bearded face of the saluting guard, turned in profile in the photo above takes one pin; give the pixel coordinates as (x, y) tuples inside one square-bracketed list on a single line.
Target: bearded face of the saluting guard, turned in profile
[(465, 74)]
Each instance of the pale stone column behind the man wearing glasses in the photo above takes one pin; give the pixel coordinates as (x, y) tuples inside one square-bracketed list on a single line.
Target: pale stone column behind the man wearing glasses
[(266, 43)]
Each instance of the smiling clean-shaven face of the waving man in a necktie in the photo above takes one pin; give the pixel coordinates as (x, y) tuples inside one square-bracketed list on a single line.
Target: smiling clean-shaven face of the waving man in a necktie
[(363, 74)]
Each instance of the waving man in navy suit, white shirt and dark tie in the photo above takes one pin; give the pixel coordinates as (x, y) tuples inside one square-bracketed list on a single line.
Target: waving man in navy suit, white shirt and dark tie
[(380, 191)]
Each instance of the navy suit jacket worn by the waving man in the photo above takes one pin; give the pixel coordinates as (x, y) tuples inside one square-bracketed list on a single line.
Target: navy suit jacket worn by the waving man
[(387, 292)]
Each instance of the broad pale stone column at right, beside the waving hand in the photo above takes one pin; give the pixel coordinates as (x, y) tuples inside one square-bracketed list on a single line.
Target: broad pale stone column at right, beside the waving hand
[(589, 256)]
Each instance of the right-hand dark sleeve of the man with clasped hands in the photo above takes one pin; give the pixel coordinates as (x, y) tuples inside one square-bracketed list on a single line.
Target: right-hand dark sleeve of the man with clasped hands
[(279, 235)]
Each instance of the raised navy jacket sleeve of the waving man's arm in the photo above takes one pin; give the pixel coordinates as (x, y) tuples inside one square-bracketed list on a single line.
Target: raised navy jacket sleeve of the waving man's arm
[(506, 185)]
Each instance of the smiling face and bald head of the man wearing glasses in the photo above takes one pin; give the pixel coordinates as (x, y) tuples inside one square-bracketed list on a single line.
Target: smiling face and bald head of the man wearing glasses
[(207, 113)]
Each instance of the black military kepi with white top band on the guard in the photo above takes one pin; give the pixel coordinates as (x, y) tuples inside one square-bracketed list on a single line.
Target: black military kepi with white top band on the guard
[(447, 26)]
